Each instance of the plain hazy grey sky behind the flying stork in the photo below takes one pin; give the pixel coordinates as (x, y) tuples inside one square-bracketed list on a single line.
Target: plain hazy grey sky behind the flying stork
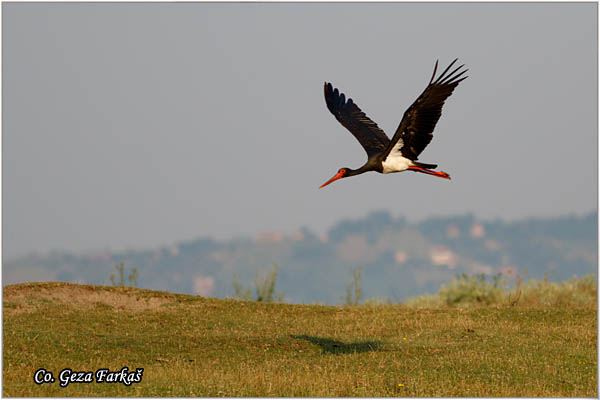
[(134, 125)]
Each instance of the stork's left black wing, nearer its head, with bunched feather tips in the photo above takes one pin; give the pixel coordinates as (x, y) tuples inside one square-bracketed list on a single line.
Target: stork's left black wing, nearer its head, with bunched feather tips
[(370, 136)]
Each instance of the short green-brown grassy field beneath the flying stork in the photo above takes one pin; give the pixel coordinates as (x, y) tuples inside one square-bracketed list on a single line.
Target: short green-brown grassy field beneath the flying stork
[(194, 346)]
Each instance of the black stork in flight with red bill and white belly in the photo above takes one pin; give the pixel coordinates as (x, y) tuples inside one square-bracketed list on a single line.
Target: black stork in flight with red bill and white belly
[(412, 136)]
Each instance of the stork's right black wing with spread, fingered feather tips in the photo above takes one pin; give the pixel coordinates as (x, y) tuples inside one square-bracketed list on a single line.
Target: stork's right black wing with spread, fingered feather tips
[(416, 128)]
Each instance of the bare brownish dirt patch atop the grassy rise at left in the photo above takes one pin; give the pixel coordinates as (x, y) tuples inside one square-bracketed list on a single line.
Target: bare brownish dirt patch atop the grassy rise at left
[(28, 297)]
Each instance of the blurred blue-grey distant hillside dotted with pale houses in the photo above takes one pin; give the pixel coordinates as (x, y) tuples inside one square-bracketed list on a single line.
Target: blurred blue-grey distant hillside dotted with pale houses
[(399, 259)]
